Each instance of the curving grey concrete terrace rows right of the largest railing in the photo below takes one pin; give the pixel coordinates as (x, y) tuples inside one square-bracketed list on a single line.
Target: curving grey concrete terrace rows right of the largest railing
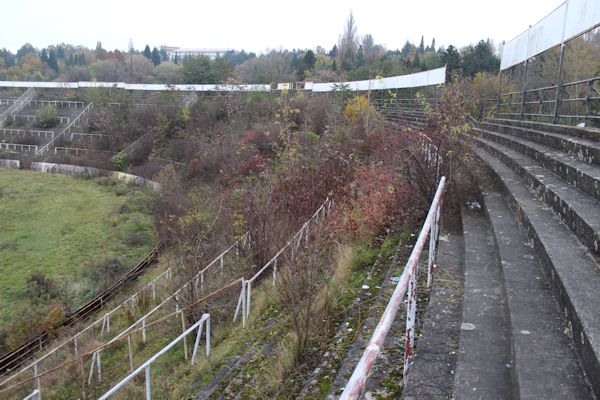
[(528, 324)]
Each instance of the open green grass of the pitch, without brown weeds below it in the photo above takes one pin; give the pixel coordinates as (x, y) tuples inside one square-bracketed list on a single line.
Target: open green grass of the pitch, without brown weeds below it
[(57, 225)]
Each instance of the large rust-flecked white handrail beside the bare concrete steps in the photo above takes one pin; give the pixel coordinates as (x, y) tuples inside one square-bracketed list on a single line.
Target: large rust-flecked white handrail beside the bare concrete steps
[(406, 285)]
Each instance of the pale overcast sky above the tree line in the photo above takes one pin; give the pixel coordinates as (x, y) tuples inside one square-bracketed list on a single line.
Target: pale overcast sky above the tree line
[(261, 25)]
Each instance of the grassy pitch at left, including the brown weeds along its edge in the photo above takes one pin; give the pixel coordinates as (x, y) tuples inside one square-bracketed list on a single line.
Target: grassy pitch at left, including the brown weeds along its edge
[(62, 241)]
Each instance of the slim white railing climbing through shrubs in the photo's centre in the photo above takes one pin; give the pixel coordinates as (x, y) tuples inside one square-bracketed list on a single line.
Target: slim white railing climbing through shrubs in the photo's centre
[(292, 245)]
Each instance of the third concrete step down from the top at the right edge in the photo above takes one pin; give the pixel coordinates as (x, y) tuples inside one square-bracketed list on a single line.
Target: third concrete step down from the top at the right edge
[(578, 173)]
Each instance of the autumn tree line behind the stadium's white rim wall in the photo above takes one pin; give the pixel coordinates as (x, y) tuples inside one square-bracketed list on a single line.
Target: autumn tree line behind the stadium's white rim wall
[(353, 57)]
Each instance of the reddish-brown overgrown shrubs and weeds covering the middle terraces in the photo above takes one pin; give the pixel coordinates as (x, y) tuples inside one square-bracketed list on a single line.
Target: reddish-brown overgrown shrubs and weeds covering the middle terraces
[(253, 167)]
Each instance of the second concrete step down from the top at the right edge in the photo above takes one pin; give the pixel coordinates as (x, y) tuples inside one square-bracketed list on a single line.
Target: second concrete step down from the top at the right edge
[(583, 149)]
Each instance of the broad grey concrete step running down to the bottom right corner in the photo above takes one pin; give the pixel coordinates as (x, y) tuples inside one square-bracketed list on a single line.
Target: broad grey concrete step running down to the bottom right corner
[(545, 366)]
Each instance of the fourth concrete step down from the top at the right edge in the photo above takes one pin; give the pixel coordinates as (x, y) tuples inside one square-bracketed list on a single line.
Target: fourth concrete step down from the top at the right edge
[(576, 209)]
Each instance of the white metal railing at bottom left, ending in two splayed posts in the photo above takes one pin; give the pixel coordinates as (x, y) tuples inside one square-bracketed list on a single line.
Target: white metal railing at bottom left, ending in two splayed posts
[(145, 367)]
